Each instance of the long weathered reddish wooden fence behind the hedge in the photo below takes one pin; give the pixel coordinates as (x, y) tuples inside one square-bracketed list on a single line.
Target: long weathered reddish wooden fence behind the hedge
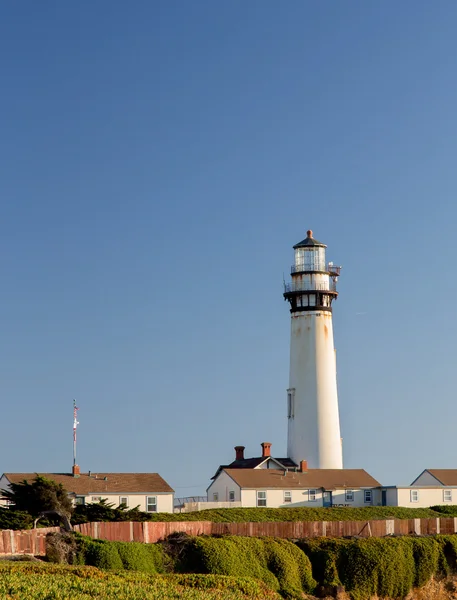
[(32, 541)]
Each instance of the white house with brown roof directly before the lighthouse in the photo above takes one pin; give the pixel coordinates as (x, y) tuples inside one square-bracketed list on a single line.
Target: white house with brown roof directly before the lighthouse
[(306, 487)]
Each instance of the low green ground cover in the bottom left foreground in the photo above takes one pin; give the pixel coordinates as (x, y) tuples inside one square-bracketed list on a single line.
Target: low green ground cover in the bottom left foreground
[(41, 581)]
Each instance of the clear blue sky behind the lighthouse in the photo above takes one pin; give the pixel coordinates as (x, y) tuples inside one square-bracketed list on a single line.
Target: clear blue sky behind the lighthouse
[(158, 162)]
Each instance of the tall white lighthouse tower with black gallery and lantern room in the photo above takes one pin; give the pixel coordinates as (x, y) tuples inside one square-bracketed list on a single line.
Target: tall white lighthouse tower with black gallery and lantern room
[(312, 399)]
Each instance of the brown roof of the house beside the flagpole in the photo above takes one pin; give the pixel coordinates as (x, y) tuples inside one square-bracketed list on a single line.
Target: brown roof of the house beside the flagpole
[(99, 483)]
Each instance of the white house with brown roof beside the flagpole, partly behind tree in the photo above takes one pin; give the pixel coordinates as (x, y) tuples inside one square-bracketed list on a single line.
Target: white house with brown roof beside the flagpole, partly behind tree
[(148, 491)]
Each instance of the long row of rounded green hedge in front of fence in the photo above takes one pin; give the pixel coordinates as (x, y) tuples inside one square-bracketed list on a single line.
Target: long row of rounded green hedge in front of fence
[(385, 567)]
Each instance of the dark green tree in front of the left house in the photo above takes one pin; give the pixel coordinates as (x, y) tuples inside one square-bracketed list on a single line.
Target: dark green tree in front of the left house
[(42, 497)]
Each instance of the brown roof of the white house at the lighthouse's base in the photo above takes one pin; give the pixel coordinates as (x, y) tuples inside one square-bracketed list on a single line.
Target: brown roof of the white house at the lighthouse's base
[(328, 479)]
